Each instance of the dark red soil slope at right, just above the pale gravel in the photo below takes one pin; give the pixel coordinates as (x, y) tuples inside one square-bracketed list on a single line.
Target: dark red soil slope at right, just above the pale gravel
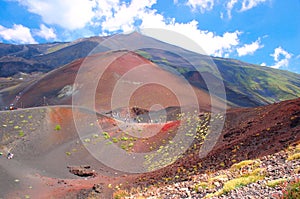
[(248, 133)]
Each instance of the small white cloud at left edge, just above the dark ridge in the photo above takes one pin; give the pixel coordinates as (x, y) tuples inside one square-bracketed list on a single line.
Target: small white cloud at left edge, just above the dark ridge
[(17, 34)]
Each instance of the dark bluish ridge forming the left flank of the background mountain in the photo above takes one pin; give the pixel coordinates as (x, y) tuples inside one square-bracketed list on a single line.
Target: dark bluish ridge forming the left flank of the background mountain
[(42, 57)]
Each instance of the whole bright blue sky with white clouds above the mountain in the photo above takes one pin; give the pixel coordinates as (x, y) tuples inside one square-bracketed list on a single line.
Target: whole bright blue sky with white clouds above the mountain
[(264, 32)]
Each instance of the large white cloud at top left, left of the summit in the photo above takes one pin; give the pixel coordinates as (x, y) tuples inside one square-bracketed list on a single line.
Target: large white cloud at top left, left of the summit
[(69, 14)]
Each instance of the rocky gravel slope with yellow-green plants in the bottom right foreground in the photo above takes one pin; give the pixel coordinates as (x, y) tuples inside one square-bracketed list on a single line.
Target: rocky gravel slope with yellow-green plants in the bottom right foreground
[(266, 177)]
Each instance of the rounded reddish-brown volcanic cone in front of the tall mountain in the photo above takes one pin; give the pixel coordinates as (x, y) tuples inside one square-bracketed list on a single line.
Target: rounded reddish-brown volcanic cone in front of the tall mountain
[(112, 80)]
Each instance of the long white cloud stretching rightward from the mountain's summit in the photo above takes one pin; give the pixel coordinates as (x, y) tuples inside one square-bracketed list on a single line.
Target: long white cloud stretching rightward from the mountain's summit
[(212, 44)]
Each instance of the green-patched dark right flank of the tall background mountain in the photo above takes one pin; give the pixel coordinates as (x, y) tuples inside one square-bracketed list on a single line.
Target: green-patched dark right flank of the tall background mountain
[(246, 85)]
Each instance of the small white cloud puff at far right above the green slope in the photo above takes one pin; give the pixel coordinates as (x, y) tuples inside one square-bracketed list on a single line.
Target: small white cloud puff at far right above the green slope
[(281, 58)]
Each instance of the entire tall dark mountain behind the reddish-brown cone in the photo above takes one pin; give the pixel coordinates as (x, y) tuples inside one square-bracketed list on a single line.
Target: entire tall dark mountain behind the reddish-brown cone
[(245, 84)]
